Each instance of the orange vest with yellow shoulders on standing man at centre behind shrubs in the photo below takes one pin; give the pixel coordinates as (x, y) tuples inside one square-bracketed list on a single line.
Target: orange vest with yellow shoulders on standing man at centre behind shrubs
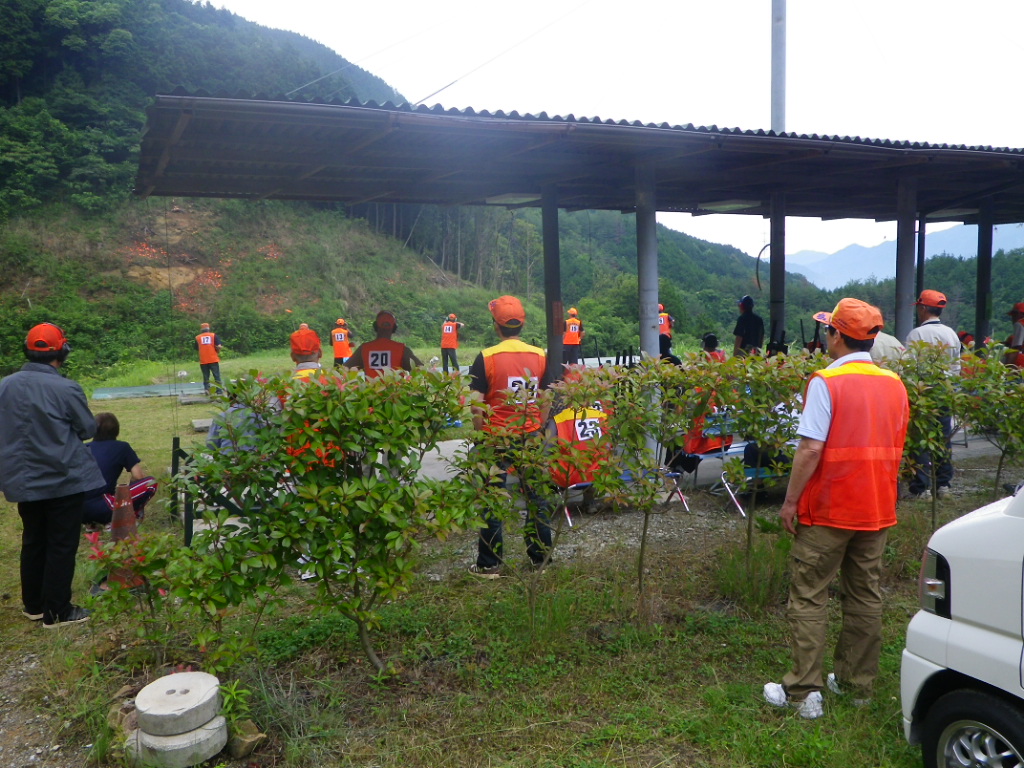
[(514, 367)]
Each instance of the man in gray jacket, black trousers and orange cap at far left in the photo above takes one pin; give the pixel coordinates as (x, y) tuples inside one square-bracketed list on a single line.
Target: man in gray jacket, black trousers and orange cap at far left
[(47, 472)]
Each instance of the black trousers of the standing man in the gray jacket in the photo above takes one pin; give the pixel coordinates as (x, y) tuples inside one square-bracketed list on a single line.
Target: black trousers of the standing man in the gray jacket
[(52, 529)]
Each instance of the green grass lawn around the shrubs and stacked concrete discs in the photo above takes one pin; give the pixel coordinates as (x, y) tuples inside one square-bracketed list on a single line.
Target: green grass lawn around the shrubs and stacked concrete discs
[(594, 681)]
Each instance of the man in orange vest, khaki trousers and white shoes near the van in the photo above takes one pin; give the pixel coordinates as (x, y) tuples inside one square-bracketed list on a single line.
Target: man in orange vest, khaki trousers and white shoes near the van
[(840, 503)]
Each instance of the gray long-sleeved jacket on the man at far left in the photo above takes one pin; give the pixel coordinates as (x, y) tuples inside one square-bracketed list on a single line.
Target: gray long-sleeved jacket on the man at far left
[(44, 420)]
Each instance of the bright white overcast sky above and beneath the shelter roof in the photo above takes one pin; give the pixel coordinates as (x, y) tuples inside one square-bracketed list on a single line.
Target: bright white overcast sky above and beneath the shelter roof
[(935, 71)]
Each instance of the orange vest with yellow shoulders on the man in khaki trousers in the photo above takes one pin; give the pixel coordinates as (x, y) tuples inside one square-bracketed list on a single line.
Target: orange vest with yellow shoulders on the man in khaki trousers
[(855, 486)]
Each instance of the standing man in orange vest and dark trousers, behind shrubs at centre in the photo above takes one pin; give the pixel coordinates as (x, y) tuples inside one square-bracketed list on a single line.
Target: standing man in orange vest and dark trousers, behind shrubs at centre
[(510, 368)]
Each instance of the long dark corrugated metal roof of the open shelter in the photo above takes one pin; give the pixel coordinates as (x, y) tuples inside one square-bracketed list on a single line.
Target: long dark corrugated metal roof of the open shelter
[(241, 147)]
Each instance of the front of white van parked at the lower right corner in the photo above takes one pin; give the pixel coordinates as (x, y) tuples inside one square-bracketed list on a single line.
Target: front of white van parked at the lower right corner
[(963, 672)]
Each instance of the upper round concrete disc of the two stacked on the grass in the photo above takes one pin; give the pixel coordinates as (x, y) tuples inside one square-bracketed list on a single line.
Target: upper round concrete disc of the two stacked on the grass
[(179, 704)]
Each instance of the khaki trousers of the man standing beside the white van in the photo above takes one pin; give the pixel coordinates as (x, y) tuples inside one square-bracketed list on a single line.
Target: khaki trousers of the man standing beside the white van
[(819, 553)]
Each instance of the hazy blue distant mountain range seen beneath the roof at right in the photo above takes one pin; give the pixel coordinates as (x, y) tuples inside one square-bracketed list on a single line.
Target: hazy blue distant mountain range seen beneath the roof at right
[(860, 263)]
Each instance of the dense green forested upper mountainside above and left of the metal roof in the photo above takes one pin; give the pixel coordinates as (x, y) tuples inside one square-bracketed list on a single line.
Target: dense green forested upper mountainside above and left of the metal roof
[(77, 75)]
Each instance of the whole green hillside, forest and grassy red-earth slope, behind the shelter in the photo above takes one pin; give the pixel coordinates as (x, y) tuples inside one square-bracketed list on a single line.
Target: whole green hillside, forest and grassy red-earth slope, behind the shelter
[(132, 279)]
